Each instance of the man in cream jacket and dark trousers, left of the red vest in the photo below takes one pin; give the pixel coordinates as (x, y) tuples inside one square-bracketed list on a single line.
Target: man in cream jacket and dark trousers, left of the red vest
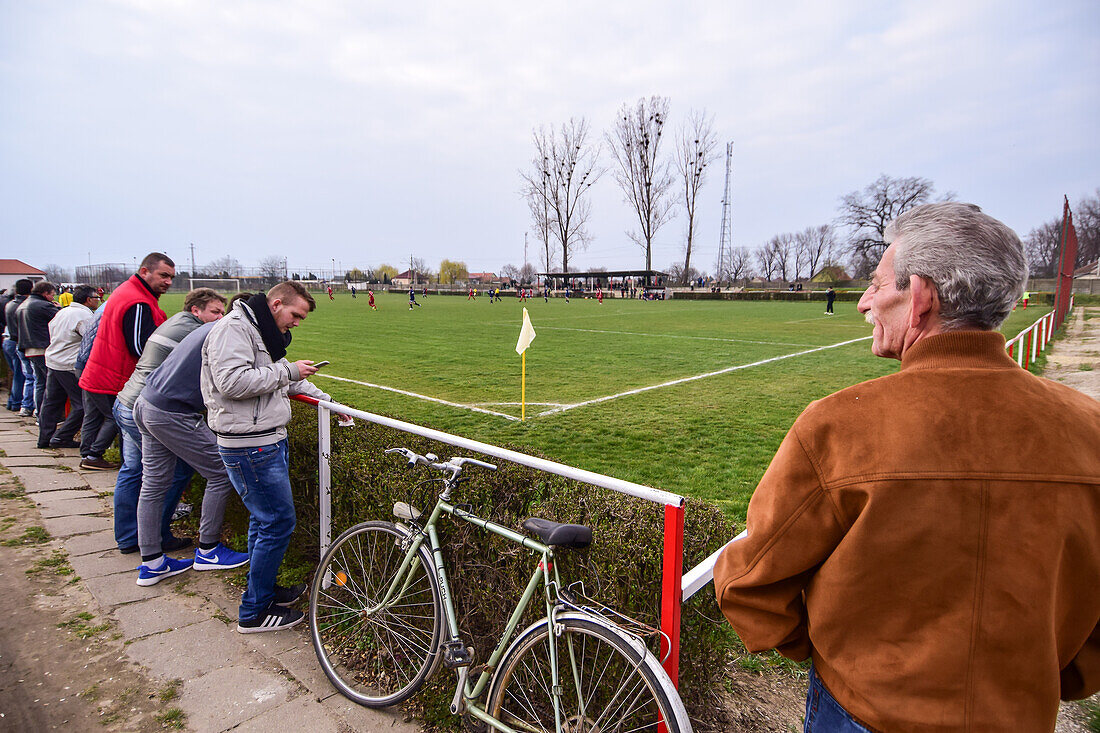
[(67, 331)]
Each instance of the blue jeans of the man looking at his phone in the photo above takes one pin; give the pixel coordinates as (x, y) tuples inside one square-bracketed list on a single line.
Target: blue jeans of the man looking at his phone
[(261, 476)]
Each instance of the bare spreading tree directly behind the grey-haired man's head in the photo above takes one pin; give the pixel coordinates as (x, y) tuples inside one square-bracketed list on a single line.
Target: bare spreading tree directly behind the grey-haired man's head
[(867, 213)]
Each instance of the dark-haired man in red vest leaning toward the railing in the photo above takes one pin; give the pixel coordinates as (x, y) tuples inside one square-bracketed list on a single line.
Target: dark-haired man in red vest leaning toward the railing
[(131, 315)]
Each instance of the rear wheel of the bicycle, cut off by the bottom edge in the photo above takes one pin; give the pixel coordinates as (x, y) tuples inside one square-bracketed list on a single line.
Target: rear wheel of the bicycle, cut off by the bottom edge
[(609, 683)]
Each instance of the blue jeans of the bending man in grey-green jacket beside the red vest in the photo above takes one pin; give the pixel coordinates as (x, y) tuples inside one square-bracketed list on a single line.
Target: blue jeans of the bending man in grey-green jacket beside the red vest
[(128, 486)]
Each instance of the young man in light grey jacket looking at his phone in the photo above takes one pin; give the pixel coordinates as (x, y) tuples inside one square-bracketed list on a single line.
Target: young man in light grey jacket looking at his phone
[(246, 385)]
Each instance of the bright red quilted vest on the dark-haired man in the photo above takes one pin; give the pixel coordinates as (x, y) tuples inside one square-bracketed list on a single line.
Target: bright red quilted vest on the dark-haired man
[(112, 364)]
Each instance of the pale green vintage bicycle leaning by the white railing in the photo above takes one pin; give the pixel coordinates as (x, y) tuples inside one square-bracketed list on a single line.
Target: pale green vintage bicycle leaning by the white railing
[(383, 621)]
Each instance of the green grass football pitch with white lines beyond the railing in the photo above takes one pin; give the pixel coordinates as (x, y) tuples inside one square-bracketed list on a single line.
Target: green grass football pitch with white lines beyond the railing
[(691, 397)]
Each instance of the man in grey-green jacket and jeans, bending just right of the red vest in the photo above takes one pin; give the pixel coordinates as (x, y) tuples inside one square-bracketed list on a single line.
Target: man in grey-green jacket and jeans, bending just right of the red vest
[(201, 307)]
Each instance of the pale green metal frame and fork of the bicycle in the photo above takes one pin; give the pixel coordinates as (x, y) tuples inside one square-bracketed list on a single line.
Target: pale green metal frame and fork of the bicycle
[(467, 693)]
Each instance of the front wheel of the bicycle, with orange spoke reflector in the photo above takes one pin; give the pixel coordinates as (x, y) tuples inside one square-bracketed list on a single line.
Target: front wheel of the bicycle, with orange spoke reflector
[(376, 627)]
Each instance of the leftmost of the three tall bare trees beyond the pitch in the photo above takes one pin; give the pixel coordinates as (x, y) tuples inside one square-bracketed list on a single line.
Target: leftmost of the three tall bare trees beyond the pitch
[(565, 168)]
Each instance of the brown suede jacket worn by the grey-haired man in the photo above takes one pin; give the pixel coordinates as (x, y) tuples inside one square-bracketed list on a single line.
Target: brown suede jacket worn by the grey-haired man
[(932, 540)]
